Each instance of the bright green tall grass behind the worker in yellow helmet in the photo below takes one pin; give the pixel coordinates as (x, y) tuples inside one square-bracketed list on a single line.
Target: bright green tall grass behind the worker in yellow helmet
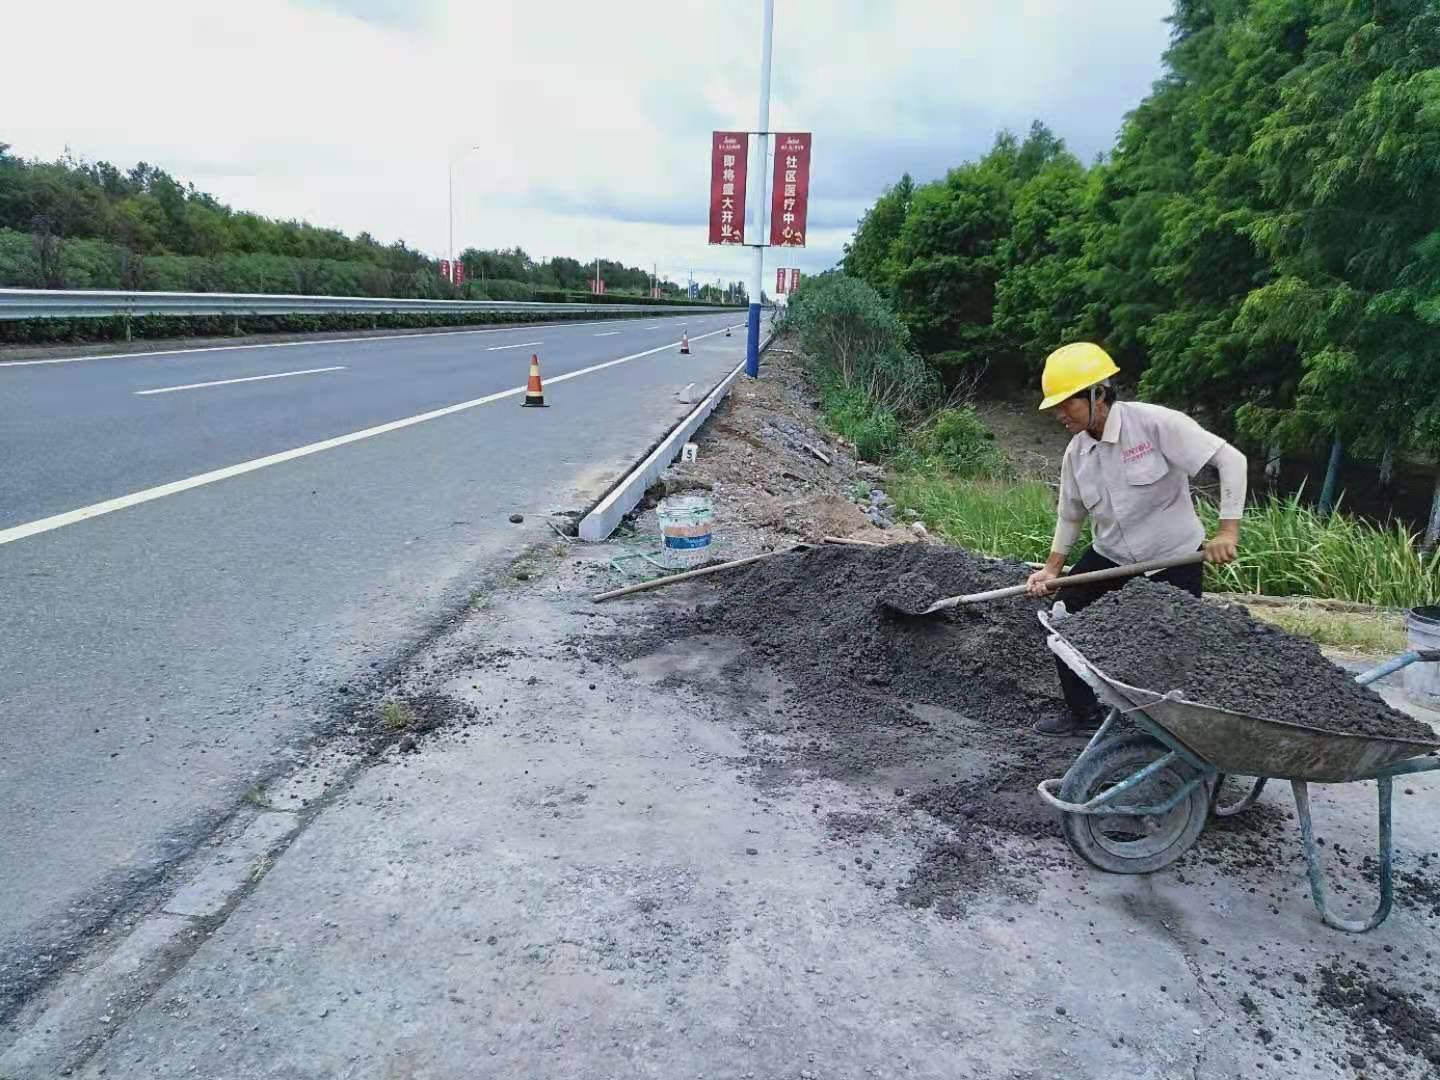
[(1287, 549)]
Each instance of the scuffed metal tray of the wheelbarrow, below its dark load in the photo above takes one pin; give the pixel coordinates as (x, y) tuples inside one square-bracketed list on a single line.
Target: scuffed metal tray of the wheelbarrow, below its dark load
[(1242, 744)]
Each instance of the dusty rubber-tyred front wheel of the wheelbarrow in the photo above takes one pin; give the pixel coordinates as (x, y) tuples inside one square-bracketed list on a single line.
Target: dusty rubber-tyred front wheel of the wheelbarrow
[(1124, 845)]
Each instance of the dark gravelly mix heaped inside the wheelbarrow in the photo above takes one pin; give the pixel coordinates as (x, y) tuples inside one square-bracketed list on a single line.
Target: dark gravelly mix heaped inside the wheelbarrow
[(1161, 639)]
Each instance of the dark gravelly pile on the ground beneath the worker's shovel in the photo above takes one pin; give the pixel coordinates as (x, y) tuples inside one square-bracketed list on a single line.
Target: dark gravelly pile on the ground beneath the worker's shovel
[(941, 703)]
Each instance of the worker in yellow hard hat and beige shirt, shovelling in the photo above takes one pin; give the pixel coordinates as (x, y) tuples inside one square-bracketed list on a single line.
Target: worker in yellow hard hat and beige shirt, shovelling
[(1128, 470)]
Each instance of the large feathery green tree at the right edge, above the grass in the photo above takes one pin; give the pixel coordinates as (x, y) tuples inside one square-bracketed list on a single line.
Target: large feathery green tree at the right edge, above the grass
[(1351, 165)]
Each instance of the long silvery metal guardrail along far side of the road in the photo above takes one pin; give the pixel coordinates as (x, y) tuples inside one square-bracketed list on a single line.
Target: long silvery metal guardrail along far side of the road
[(117, 305)]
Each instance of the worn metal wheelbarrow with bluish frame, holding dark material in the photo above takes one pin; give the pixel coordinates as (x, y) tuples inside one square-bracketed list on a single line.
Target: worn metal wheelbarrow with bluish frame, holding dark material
[(1137, 801)]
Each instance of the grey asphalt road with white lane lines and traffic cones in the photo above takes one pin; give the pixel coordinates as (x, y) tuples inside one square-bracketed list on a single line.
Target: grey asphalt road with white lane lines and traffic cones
[(261, 544)]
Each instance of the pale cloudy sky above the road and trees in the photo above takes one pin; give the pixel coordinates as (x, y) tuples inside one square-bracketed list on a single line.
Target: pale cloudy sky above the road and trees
[(593, 117)]
